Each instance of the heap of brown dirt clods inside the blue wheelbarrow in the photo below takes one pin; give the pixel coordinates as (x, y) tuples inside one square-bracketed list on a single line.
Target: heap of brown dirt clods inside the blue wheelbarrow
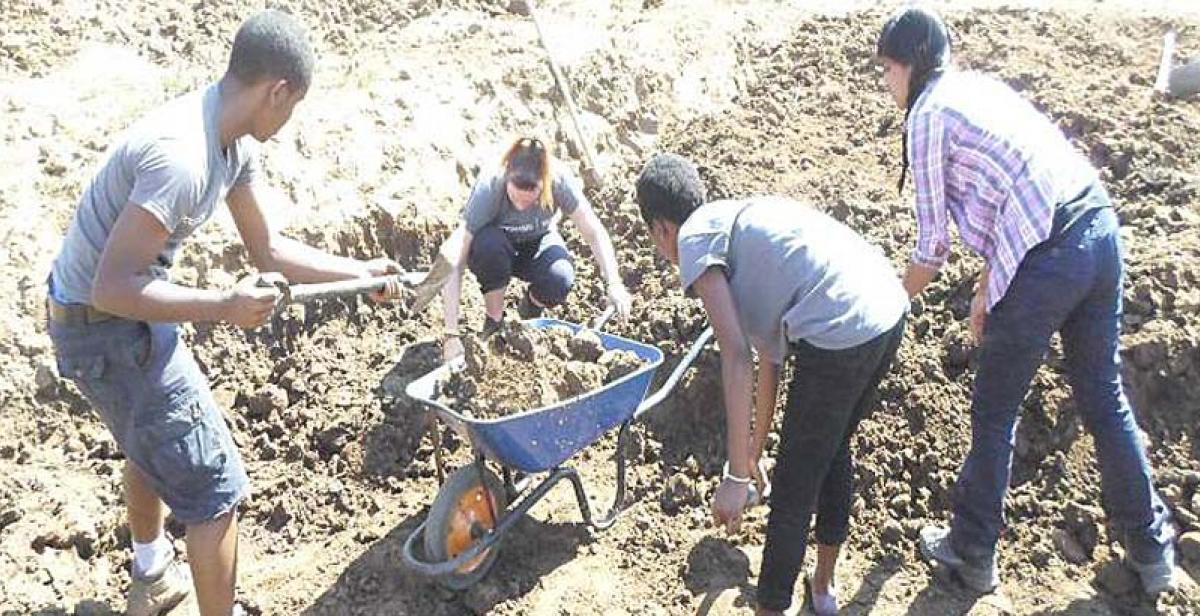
[(521, 368)]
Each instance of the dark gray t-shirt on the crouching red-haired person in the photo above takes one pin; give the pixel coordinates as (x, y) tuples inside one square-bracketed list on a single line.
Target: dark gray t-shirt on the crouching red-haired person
[(490, 205)]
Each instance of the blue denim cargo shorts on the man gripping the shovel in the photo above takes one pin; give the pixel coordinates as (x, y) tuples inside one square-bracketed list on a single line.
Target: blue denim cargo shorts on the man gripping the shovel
[(151, 393)]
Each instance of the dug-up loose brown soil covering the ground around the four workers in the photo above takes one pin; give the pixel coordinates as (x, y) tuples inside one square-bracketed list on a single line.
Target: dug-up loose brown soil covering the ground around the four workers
[(409, 101)]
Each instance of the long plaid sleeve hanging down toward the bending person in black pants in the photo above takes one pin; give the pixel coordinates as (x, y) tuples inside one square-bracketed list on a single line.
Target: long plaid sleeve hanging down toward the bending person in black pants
[(927, 152)]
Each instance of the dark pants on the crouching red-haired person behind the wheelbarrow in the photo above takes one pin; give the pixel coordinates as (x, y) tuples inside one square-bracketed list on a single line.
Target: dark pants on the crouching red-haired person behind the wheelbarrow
[(544, 262)]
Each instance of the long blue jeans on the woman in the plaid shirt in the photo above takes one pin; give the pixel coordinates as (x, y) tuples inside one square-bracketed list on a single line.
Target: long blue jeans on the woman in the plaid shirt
[(1070, 284)]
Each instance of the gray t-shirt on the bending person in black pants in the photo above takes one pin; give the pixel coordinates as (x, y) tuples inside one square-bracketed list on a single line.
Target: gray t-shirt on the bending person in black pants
[(795, 274)]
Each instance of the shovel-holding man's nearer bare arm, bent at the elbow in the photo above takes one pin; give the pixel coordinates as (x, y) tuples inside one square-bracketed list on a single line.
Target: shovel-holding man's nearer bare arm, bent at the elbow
[(125, 288)]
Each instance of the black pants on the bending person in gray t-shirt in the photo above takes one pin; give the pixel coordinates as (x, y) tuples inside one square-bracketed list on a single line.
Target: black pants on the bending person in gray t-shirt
[(830, 394)]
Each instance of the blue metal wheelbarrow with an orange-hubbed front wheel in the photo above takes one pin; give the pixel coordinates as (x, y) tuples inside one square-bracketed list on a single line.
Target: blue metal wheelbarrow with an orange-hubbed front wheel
[(460, 537)]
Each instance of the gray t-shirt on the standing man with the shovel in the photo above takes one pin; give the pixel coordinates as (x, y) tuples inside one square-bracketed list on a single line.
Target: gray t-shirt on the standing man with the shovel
[(170, 164)]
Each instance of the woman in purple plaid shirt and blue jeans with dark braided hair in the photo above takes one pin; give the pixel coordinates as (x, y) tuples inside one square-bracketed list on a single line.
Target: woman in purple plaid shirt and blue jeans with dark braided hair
[(1034, 208)]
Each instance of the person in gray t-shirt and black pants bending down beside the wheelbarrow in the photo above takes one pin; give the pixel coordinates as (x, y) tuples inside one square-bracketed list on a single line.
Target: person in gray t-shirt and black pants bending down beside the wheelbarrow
[(784, 280)]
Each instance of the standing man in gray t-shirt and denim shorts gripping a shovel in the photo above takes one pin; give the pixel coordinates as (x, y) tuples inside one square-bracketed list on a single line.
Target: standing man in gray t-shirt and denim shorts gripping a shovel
[(115, 315)]
